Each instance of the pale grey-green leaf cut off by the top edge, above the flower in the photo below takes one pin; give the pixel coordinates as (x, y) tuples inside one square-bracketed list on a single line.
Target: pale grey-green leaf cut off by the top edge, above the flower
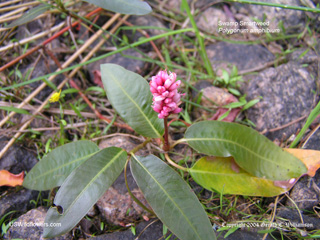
[(135, 7)]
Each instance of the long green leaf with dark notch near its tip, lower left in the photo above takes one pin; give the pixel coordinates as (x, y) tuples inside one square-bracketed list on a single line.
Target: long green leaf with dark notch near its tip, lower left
[(83, 188)]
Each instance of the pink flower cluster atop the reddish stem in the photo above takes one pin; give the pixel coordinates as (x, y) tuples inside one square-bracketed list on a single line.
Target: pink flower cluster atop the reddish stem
[(166, 97)]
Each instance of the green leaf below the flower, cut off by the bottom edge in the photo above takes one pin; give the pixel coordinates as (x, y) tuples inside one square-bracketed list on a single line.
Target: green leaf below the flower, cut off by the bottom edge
[(171, 199)]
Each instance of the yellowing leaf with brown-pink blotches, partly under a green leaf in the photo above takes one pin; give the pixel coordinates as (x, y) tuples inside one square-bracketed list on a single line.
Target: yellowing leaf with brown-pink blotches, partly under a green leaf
[(218, 173)]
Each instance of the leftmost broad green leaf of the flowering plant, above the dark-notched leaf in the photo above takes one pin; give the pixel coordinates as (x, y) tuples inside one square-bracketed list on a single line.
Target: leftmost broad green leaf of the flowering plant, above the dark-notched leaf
[(54, 168)]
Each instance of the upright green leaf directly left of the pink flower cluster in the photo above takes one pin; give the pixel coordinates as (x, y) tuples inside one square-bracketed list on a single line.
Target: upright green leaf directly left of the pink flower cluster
[(130, 95)]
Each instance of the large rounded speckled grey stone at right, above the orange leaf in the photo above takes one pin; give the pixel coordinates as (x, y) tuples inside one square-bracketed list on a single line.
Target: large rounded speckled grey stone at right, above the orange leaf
[(287, 94)]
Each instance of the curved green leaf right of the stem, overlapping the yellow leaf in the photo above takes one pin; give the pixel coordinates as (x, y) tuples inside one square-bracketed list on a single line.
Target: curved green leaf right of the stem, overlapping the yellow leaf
[(252, 151)]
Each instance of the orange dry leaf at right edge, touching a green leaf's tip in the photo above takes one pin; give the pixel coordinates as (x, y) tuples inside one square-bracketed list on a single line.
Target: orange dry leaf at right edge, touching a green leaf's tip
[(311, 158)]
